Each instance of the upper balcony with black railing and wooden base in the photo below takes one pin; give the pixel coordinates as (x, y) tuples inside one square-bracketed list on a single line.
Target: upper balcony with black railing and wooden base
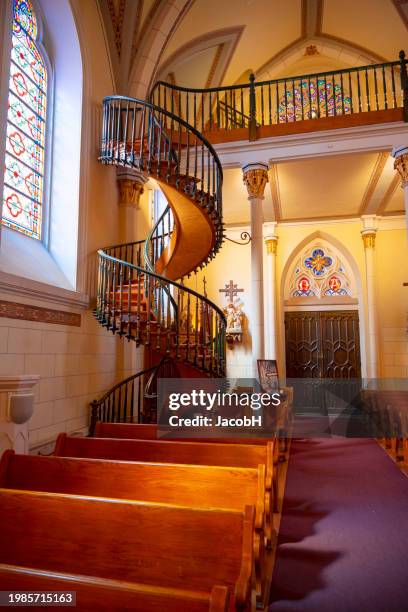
[(365, 95)]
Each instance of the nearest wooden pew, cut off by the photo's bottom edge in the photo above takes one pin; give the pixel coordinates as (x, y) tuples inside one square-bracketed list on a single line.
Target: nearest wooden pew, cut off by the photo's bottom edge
[(112, 595)]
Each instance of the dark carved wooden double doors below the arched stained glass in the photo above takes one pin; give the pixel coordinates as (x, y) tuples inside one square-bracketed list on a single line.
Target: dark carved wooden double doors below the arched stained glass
[(322, 344)]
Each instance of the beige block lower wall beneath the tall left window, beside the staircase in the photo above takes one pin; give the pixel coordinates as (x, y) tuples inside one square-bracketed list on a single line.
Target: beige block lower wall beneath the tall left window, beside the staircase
[(75, 365)]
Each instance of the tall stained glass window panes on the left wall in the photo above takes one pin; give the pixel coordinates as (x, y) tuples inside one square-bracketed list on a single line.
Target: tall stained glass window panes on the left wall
[(39, 169)]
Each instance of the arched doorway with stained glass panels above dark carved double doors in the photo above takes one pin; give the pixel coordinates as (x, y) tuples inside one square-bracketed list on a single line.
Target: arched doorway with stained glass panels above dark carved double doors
[(321, 314)]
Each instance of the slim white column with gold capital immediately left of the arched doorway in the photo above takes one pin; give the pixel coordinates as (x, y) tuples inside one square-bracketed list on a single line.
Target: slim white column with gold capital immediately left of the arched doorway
[(271, 242)]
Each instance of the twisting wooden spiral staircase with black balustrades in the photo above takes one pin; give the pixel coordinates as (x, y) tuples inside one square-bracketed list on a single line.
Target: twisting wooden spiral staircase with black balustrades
[(141, 294)]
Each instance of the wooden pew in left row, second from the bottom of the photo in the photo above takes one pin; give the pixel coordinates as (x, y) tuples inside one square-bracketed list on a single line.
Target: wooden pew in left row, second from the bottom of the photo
[(146, 544)]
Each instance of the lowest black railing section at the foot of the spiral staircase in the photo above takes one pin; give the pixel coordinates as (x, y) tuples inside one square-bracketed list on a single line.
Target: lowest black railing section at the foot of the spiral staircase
[(133, 400)]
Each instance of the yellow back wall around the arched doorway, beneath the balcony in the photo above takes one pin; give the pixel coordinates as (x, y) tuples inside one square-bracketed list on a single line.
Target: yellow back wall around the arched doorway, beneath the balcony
[(233, 262)]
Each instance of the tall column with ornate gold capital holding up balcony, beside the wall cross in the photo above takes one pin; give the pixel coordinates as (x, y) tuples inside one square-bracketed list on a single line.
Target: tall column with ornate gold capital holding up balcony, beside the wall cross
[(255, 178)]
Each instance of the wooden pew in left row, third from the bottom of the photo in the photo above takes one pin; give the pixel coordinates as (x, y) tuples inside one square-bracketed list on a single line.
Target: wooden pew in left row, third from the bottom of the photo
[(183, 485)]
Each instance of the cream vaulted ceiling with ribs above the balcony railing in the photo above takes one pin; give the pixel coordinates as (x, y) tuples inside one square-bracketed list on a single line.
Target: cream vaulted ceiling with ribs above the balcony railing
[(275, 38)]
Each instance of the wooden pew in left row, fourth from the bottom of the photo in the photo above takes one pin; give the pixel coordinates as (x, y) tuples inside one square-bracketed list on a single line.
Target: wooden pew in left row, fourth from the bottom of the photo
[(158, 451)]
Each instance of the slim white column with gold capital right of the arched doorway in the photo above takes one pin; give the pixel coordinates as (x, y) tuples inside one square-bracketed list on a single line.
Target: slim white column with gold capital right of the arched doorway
[(368, 235)]
